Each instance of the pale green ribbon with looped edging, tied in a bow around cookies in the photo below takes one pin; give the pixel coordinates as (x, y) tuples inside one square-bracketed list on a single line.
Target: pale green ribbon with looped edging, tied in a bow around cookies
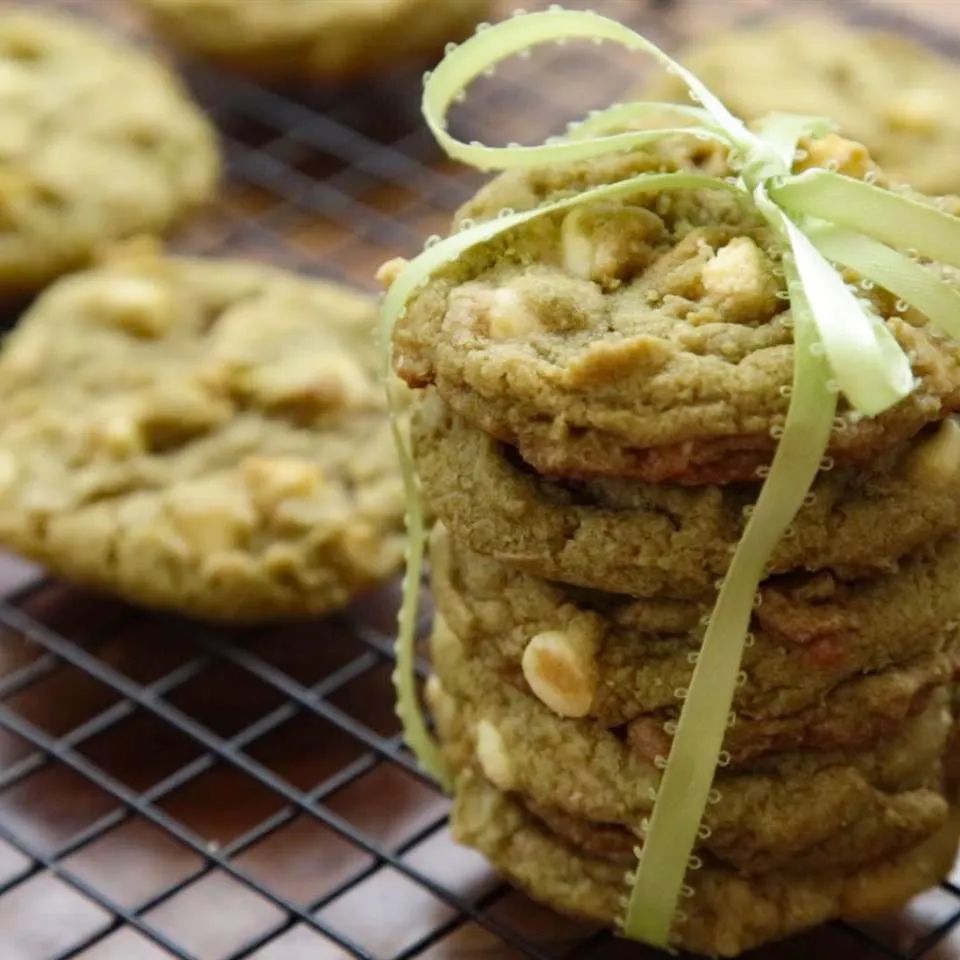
[(823, 219)]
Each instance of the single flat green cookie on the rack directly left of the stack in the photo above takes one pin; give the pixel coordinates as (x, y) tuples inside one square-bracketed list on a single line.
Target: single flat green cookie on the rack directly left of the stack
[(209, 437)]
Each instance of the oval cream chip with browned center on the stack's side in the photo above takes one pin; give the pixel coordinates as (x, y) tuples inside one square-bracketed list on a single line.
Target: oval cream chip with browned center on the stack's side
[(560, 668)]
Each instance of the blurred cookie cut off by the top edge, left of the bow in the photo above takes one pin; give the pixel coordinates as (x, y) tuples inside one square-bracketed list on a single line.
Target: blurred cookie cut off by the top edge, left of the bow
[(317, 38)]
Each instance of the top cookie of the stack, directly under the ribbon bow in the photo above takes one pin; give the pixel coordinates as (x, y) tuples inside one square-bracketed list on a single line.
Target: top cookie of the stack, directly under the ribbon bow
[(641, 337)]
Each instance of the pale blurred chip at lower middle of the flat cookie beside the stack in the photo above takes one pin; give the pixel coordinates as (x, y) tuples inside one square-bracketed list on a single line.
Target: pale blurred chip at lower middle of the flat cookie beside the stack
[(210, 517)]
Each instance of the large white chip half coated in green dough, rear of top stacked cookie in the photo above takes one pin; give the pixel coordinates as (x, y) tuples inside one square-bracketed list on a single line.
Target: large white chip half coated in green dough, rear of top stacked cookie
[(608, 242)]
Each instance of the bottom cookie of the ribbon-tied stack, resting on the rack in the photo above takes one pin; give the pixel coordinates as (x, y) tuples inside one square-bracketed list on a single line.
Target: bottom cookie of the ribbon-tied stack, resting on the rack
[(728, 913)]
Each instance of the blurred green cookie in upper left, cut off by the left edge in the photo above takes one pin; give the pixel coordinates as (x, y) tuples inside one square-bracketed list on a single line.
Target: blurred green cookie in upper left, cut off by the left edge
[(98, 142)]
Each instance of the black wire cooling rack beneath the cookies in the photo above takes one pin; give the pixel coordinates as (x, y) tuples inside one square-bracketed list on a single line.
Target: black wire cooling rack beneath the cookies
[(172, 790)]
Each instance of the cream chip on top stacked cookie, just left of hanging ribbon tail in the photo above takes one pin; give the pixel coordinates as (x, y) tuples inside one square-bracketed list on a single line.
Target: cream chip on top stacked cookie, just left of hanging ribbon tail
[(739, 279)]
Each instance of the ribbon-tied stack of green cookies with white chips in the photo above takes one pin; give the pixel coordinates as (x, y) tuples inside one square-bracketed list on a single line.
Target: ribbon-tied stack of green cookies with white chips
[(600, 395)]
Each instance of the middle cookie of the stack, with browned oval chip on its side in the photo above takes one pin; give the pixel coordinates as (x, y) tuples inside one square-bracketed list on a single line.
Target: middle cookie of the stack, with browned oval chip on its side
[(831, 664)]
